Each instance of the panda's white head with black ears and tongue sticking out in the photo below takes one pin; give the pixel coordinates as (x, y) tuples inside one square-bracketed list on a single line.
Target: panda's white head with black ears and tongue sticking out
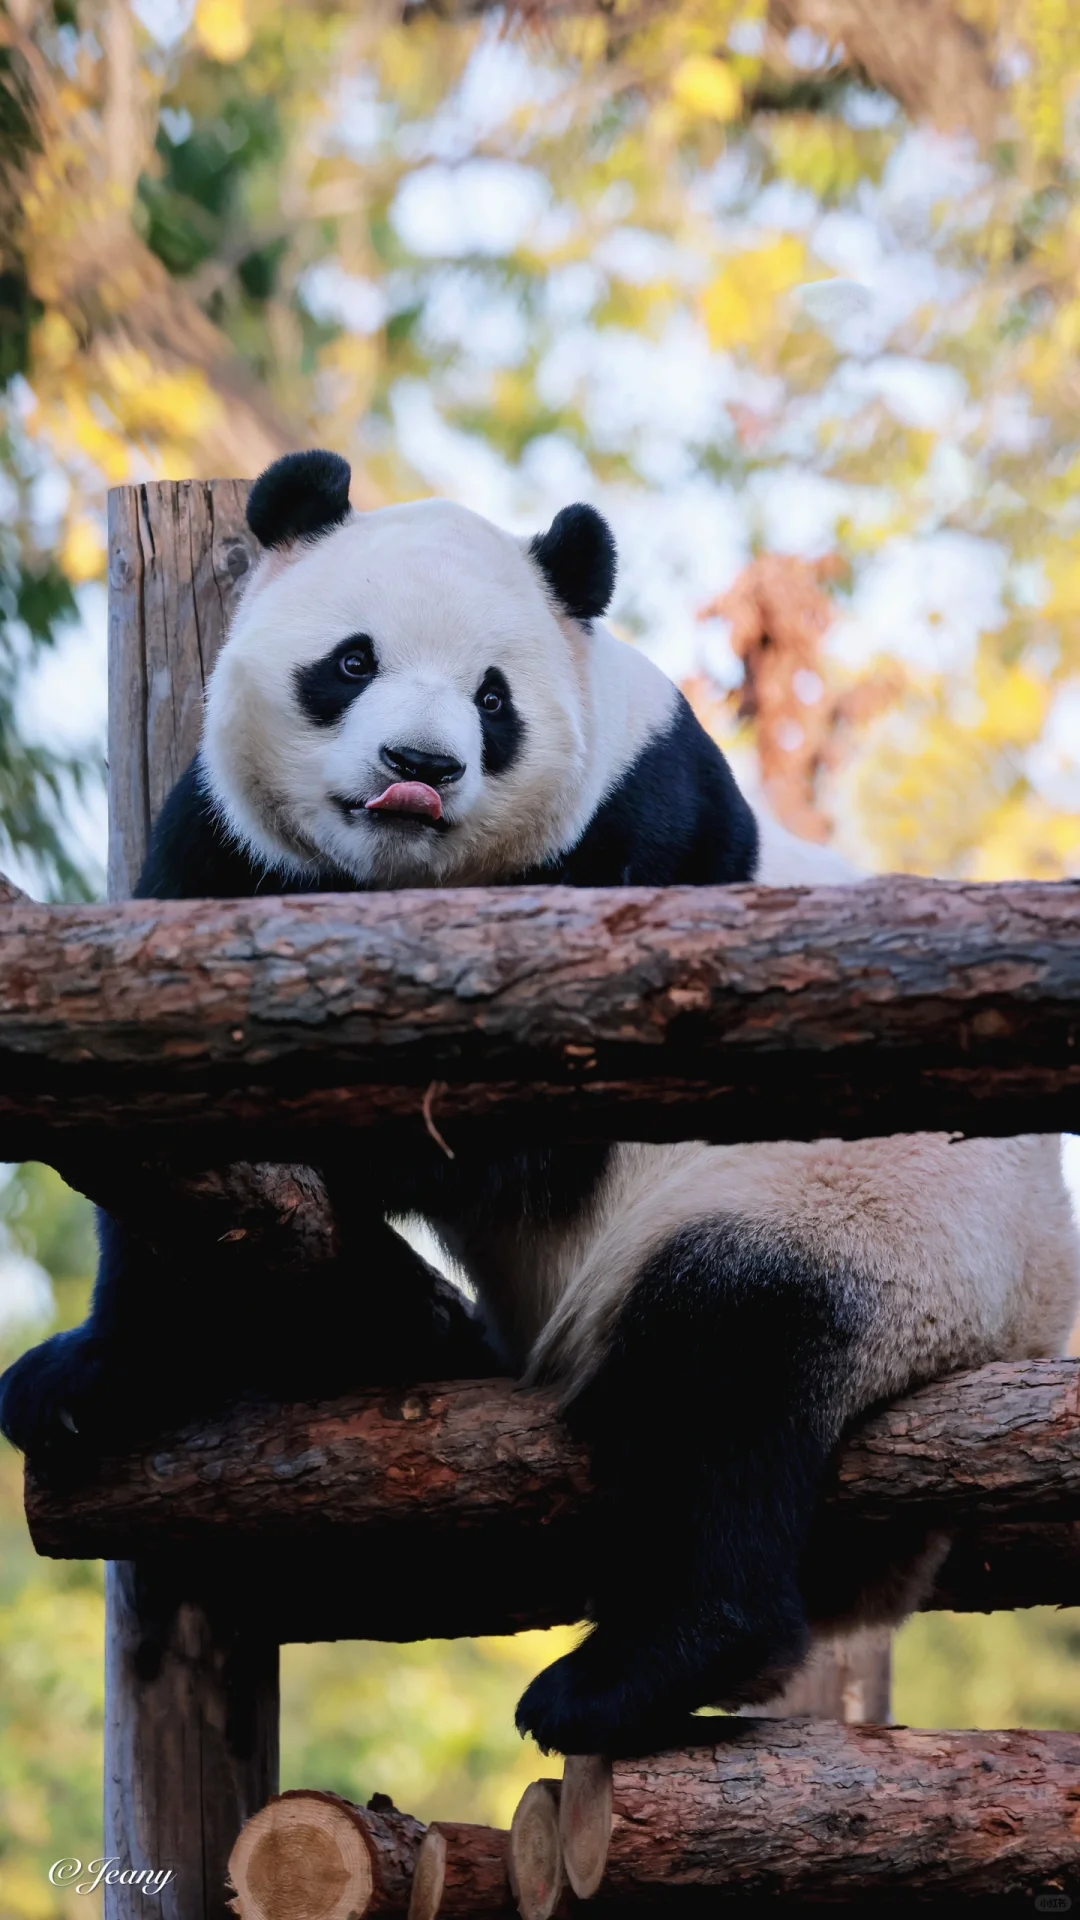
[(403, 694)]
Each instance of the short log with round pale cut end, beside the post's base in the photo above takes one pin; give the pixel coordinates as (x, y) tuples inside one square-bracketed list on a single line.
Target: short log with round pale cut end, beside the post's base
[(318, 1858)]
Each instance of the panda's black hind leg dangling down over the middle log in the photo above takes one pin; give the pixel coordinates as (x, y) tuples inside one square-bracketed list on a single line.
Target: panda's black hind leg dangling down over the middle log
[(712, 1424)]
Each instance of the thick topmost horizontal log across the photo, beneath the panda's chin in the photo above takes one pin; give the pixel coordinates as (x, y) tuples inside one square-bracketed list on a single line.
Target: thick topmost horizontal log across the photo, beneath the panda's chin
[(531, 1013)]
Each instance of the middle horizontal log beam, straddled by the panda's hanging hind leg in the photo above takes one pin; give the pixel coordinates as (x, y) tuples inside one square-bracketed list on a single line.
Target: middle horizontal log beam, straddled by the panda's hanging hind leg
[(337, 1516)]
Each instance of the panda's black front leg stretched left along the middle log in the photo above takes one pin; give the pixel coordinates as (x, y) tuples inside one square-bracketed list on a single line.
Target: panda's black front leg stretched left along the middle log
[(178, 1337)]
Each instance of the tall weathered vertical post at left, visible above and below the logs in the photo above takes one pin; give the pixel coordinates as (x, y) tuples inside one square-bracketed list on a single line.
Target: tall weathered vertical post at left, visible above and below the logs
[(191, 1692)]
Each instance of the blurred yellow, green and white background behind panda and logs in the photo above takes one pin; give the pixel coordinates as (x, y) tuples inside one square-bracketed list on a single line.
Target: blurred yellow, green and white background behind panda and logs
[(791, 291)]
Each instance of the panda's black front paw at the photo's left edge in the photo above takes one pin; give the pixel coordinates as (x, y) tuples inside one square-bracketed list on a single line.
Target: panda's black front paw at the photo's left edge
[(55, 1401)]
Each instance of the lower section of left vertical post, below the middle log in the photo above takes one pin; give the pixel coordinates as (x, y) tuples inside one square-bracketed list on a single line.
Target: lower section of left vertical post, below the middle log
[(191, 1742)]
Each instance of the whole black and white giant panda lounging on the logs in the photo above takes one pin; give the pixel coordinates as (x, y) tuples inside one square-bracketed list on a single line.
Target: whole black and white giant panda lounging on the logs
[(412, 698)]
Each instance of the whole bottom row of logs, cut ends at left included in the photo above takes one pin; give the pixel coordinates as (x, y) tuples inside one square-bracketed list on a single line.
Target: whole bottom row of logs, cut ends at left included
[(798, 1812)]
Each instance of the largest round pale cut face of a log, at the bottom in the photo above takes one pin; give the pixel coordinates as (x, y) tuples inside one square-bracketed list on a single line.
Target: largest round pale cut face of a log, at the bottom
[(303, 1860)]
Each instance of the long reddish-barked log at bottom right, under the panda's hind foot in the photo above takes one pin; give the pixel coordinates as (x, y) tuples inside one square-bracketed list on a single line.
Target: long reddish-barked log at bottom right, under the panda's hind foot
[(818, 1812)]
